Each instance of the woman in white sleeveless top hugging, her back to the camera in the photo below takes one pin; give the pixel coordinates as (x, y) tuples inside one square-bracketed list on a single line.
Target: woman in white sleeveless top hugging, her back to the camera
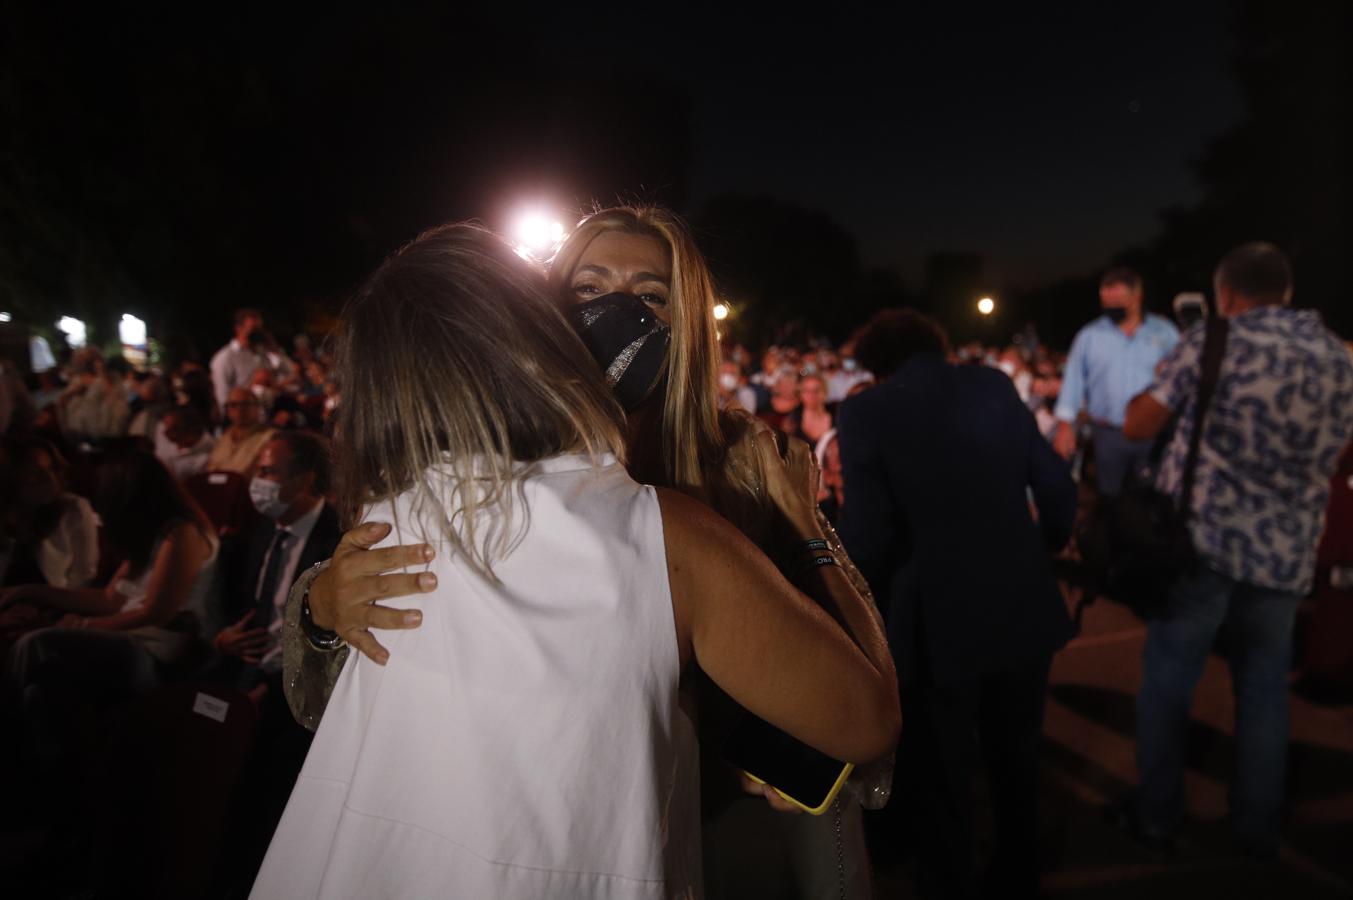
[(527, 740)]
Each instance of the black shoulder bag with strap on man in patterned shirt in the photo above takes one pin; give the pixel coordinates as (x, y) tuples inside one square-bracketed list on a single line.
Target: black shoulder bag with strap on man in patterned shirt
[(1149, 541)]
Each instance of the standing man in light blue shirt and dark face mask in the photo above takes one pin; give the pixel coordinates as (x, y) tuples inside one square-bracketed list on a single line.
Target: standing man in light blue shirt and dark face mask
[(1113, 361)]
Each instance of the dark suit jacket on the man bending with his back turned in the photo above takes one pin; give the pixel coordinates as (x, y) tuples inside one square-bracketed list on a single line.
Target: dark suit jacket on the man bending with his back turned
[(938, 462)]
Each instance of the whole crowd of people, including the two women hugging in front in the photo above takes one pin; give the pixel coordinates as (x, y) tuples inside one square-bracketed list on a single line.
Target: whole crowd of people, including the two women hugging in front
[(182, 527)]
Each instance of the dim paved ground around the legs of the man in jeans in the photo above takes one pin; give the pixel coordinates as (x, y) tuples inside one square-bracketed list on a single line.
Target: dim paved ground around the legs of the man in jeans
[(1088, 761)]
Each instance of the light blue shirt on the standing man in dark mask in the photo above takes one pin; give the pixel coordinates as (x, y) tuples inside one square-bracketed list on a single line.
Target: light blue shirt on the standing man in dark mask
[(1107, 369)]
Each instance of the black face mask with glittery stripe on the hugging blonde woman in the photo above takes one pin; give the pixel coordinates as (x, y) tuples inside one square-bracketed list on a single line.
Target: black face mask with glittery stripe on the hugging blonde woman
[(628, 342)]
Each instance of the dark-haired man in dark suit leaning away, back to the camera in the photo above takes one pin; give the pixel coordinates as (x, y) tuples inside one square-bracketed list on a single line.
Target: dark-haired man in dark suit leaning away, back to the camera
[(940, 466)]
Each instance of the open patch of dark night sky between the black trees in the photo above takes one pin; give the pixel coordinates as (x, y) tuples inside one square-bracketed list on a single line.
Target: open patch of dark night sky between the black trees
[(1047, 144)]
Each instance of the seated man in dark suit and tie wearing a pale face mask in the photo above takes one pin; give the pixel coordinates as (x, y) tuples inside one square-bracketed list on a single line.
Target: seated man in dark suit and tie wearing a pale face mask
[(298, 530)]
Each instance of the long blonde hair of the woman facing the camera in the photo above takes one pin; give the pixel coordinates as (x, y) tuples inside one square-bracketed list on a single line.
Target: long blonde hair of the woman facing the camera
[(696, 436)]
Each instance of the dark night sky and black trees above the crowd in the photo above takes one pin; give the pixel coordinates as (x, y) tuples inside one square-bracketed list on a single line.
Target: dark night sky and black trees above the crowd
[(178, 166)]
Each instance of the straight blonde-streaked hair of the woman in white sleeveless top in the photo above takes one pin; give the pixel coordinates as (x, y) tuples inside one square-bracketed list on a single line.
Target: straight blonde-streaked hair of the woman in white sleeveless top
[(458, 372)]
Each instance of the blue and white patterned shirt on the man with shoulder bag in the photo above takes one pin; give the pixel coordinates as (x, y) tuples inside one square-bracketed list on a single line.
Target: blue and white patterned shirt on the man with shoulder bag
[(1279, 422)]
